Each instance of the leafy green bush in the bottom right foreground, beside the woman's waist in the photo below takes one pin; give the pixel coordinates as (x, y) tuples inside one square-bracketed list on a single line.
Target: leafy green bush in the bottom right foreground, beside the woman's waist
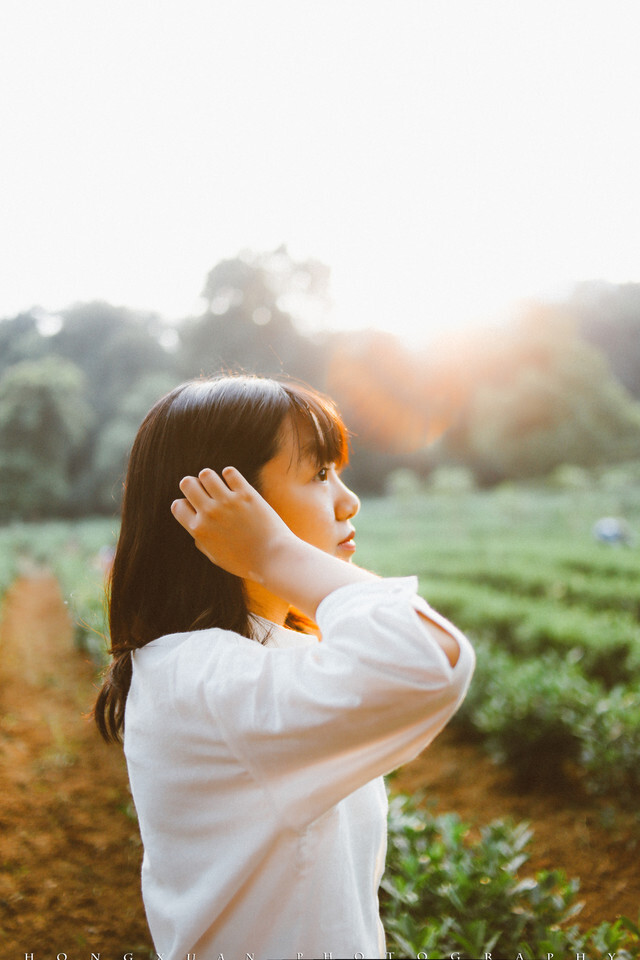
[(445, 893)]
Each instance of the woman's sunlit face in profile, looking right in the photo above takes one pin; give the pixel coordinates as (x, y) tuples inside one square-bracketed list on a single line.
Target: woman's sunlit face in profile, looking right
[(314, 503)]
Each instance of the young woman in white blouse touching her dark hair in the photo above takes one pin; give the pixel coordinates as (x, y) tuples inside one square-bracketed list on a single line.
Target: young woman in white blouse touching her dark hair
[(263, 682)]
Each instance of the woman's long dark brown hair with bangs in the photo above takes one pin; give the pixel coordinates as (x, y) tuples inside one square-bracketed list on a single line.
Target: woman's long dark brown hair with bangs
[(160, 582)]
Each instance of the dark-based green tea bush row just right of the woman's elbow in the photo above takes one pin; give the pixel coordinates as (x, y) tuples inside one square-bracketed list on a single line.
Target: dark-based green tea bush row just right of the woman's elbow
[(545, 719)]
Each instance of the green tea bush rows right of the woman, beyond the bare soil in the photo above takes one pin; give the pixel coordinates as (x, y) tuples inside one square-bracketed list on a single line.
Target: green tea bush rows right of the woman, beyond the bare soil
[(554, 617)]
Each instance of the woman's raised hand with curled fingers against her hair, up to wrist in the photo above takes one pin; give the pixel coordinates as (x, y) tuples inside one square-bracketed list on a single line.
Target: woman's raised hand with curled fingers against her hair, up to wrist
[(230, 522)]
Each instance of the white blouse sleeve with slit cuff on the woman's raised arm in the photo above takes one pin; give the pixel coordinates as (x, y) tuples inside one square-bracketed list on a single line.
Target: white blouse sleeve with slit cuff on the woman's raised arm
[(313, 724)]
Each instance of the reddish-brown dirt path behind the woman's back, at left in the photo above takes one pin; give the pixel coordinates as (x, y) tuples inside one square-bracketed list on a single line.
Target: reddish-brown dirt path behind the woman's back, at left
[(69, 868)]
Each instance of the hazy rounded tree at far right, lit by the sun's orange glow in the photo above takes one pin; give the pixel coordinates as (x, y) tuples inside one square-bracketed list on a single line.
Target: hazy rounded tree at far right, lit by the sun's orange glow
[(544, 397)]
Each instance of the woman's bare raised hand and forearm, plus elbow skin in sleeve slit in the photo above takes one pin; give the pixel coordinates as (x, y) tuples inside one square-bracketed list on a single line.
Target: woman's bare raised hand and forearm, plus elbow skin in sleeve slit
[(239, 531)]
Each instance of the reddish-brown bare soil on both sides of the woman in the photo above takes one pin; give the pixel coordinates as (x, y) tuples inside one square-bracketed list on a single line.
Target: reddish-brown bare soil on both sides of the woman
[(70, 849)]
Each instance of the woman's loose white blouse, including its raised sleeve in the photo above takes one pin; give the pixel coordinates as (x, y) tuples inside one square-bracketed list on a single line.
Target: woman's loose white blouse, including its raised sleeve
[(256, 772)]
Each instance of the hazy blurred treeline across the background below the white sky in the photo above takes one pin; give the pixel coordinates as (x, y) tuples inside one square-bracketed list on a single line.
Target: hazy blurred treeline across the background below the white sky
[(560, 384)]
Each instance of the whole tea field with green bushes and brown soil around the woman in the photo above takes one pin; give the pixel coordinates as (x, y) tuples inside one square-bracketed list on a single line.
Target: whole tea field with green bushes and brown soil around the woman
[(523, 810)]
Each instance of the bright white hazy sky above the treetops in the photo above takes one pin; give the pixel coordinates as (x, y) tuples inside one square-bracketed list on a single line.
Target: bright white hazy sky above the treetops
[(442, 156)]
